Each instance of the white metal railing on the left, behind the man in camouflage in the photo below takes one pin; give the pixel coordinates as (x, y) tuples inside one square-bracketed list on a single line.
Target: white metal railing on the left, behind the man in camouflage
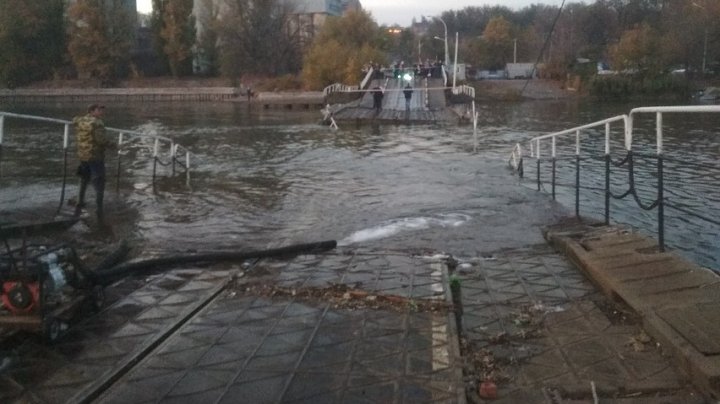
[(158, 144)]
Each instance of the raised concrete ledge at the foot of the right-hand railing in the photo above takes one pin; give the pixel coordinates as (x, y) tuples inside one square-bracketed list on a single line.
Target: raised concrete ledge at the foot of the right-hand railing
[(678, 301)]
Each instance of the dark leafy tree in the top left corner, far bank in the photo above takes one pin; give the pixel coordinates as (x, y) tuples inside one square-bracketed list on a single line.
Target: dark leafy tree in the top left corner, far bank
[(31, 40)]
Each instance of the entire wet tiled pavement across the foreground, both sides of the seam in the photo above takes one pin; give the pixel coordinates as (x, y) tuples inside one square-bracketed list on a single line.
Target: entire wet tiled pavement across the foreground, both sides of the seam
[(548, 330)]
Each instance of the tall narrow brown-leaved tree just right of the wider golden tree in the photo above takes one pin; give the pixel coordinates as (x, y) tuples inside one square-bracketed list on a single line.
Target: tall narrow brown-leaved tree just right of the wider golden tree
[(178, 35)]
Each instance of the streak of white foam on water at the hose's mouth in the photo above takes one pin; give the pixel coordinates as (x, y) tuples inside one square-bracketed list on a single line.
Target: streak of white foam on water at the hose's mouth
[(396, 226)]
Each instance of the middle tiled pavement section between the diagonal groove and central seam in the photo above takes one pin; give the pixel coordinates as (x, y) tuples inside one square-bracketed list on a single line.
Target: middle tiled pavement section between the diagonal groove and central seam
[(245, 348)]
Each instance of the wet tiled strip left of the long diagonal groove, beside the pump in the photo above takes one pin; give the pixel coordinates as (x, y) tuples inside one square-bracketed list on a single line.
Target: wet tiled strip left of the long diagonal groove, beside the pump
[(97, 349)]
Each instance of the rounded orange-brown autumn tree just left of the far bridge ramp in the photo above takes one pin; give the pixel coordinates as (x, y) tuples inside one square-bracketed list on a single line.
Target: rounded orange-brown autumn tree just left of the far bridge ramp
[(343, 46)]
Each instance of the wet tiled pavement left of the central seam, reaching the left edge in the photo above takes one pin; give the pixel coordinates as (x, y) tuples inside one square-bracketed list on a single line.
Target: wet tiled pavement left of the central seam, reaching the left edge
[(190, 335)]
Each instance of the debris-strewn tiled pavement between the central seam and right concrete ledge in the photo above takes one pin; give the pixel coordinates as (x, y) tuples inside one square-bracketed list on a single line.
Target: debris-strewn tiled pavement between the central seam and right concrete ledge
[(551, 335)]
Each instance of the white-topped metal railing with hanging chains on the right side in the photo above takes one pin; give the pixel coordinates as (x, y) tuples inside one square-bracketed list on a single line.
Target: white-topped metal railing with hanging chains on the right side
[(539, 148)]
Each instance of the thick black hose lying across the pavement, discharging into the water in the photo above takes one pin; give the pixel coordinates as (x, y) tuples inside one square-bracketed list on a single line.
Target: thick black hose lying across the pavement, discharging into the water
[(108, 276)]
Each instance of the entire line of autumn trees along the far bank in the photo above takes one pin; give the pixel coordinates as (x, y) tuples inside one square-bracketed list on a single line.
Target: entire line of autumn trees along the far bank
[(48, 39)]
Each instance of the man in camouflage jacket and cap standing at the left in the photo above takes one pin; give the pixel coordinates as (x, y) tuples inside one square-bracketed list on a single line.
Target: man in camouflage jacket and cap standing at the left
[(91, 145)]
